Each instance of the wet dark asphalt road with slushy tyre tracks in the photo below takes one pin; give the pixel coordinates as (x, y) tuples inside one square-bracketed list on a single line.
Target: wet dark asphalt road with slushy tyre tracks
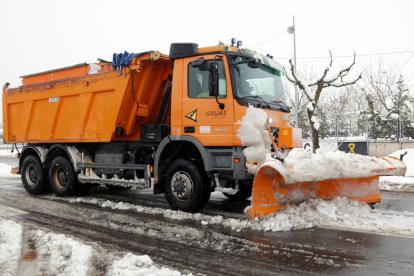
[(214, 250)]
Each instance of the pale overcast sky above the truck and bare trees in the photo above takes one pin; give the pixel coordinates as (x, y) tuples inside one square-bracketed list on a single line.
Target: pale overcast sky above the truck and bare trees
[(41, 35)]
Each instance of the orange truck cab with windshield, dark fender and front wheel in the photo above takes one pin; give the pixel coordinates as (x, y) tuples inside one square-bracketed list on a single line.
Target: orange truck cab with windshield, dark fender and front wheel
[(211, 90)]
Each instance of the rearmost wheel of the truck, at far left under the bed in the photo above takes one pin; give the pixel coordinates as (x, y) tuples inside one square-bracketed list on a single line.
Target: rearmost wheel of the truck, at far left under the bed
[(32, 175)]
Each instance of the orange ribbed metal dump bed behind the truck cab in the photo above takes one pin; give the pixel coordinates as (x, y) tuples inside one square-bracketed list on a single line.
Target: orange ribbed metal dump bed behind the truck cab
[(87, 108)]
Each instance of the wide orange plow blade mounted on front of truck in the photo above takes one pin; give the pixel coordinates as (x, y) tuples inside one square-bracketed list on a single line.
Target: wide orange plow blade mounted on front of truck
[(271, 192)]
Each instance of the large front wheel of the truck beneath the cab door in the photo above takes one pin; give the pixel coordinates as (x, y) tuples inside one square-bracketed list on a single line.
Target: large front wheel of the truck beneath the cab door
[(186, 188)]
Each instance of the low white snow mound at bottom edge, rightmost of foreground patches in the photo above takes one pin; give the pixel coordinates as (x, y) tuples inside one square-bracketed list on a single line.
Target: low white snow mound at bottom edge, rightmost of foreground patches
[(132, 264)]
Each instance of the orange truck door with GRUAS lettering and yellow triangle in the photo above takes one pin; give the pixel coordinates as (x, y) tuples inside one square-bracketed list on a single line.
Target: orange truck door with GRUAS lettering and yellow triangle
[(201, 115)]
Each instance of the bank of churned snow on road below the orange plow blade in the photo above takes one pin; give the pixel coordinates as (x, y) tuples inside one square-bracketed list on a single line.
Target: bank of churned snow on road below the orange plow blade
[(340, 213)]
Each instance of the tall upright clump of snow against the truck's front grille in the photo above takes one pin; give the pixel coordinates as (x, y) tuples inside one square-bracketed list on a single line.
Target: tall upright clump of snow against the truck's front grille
[(254, 136)]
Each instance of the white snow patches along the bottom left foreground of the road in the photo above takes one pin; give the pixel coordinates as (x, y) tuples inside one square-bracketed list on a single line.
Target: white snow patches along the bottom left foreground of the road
[(57, 254)]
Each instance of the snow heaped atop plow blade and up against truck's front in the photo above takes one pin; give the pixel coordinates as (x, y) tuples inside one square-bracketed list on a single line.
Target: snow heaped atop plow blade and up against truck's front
[(301, 165)]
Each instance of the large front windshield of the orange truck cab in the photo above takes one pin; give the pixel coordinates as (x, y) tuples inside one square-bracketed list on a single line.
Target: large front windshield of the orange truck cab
[(258, 86)]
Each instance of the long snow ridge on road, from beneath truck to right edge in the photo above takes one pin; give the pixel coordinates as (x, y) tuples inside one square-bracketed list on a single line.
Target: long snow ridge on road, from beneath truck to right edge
[(339, 213)]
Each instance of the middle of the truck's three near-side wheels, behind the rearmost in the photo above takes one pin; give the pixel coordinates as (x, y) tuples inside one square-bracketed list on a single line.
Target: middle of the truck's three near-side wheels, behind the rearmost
[(62, 177)]
